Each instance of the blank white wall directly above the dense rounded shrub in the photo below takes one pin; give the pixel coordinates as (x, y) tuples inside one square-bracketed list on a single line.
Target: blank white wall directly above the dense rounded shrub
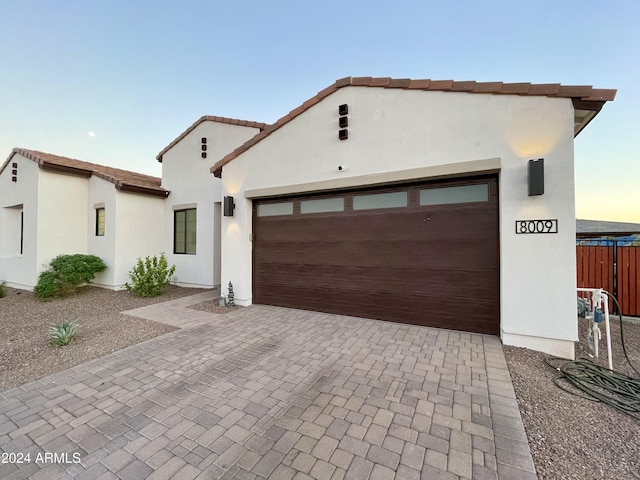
[(62, 216)]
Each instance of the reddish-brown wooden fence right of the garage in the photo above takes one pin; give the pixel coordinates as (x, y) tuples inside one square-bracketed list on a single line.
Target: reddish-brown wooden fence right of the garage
[(612, 267)]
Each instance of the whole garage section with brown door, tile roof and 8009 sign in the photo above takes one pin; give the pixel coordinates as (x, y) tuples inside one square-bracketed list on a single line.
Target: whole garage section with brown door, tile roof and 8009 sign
[(415, 201)]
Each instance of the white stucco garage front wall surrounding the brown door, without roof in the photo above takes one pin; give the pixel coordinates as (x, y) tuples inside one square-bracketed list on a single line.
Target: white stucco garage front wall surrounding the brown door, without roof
[(418, 132)]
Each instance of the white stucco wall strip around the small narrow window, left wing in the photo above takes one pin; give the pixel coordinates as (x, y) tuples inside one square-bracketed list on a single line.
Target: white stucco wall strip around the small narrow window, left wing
[(102, 194)]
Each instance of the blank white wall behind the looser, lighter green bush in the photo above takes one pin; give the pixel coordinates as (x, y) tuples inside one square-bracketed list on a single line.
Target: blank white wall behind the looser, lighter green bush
[(138, 231)]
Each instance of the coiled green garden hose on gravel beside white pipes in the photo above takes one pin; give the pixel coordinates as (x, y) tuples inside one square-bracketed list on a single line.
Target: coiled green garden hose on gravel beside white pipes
[(598, 383)]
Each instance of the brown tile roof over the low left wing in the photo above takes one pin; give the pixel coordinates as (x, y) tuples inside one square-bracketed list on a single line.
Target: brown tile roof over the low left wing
[(124, 180)]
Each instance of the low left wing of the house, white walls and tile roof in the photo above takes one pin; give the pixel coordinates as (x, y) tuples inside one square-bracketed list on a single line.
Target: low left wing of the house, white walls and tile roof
[(52, 205)]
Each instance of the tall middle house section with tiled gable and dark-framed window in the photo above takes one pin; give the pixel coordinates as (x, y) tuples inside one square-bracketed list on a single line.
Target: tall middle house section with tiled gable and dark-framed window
[(192, 213)]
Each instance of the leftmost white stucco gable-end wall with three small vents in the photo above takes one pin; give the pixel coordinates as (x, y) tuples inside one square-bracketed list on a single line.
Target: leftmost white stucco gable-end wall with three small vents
[(19, 270)]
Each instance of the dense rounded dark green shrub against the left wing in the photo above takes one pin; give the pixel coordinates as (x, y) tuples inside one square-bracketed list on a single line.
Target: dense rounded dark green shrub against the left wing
[(66, 273)]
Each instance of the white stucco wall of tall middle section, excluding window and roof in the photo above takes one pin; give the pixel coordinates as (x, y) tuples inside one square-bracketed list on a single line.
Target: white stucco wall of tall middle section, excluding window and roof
[(187, 176)]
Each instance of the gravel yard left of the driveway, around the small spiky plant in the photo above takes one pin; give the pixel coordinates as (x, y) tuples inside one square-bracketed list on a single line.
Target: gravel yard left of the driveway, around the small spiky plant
[(25, 351)]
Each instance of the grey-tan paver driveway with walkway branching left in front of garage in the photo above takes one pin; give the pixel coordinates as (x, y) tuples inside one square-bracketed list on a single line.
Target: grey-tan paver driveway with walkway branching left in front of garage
[(266, 392)]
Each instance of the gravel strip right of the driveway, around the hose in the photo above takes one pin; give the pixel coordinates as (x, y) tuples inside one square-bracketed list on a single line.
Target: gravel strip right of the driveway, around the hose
[(570, 437)]
